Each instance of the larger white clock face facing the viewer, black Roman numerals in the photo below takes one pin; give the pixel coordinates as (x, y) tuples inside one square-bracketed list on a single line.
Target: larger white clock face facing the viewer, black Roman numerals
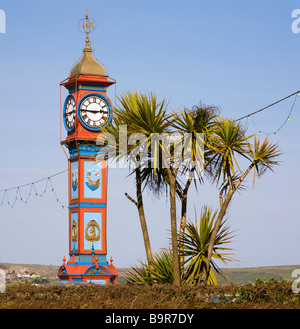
[(94, 111)]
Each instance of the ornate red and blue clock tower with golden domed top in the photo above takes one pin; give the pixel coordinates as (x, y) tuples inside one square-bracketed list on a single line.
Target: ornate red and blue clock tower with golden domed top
[(87, 109)]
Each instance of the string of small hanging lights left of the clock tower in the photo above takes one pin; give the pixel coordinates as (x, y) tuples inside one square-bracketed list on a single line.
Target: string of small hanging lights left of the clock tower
[(19, 196)]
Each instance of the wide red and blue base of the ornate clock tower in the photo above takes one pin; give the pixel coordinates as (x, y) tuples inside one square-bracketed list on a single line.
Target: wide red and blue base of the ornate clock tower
[(89, 272)]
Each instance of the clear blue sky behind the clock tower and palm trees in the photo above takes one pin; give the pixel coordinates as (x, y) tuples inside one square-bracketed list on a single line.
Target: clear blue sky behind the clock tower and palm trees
[(238, 55)]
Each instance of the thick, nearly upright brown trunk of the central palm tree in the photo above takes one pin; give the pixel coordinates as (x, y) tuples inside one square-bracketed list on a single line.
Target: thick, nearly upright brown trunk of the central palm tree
[(176, 265)]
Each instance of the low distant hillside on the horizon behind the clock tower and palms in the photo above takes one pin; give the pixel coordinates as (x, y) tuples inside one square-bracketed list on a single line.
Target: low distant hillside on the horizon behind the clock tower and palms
[(236, 275)]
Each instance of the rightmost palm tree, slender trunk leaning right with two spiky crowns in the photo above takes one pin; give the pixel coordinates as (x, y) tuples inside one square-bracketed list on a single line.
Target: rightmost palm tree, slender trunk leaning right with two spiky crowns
[(228, 141)]
